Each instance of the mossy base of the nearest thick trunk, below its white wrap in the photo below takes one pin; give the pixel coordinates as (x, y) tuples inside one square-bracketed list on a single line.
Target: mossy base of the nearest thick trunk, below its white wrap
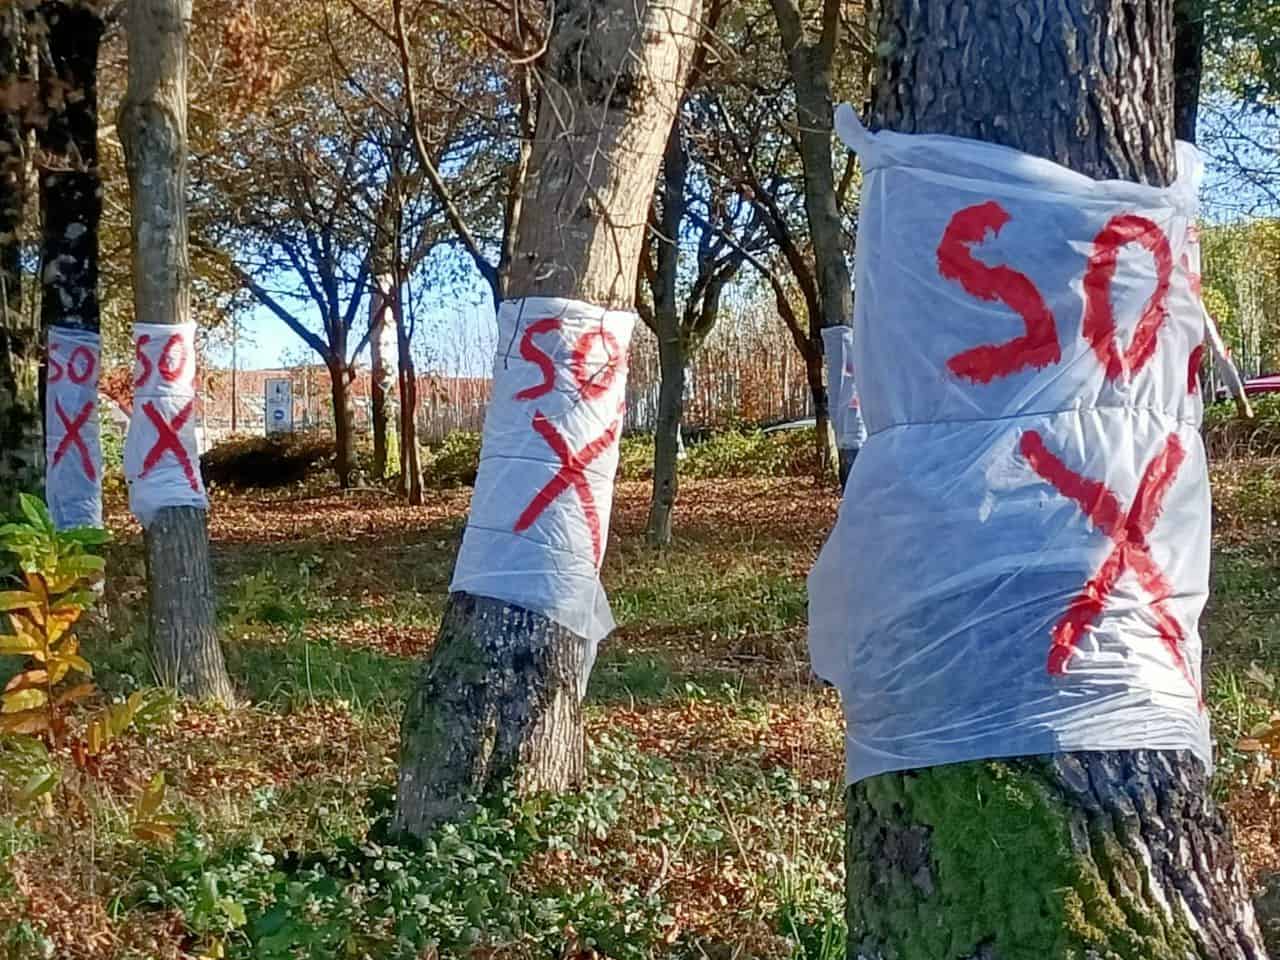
[(1109, 856)]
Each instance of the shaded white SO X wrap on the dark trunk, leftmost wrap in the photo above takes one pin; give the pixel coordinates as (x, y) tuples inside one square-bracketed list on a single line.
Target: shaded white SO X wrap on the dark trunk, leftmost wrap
[(74, 454)]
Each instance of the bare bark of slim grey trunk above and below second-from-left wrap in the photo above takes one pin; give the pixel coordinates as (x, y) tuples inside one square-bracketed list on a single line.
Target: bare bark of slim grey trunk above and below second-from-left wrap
[(154, 131)]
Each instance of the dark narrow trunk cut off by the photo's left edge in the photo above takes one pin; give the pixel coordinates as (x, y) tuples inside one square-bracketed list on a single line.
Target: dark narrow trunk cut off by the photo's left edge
[(21, 431)]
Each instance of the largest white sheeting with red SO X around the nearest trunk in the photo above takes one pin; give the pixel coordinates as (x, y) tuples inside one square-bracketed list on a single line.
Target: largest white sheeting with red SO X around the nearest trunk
[(1022, 555)]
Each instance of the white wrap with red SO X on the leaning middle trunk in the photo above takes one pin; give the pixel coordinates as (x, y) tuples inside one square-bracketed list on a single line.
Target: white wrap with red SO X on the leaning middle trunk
[(541, 510)]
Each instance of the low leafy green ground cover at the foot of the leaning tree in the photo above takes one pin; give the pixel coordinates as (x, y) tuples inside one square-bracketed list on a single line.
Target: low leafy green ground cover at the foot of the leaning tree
[(459, 893)]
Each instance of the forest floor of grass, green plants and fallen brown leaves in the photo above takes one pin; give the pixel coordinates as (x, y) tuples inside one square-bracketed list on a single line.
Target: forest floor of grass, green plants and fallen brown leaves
[(712, 822)]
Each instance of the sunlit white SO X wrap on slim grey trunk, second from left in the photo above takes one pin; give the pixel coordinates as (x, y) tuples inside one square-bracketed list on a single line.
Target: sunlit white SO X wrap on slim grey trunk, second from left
[(162, 460)]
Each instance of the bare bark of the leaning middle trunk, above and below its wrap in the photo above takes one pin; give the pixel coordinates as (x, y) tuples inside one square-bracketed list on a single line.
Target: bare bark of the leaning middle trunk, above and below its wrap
[(501, 696)]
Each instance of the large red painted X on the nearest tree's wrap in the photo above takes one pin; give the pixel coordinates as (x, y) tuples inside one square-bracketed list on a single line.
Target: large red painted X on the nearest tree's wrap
[(1128, 532)]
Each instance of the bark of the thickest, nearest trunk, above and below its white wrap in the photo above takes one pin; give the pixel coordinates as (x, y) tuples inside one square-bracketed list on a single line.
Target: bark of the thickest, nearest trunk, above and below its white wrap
[(1118, 854)]
